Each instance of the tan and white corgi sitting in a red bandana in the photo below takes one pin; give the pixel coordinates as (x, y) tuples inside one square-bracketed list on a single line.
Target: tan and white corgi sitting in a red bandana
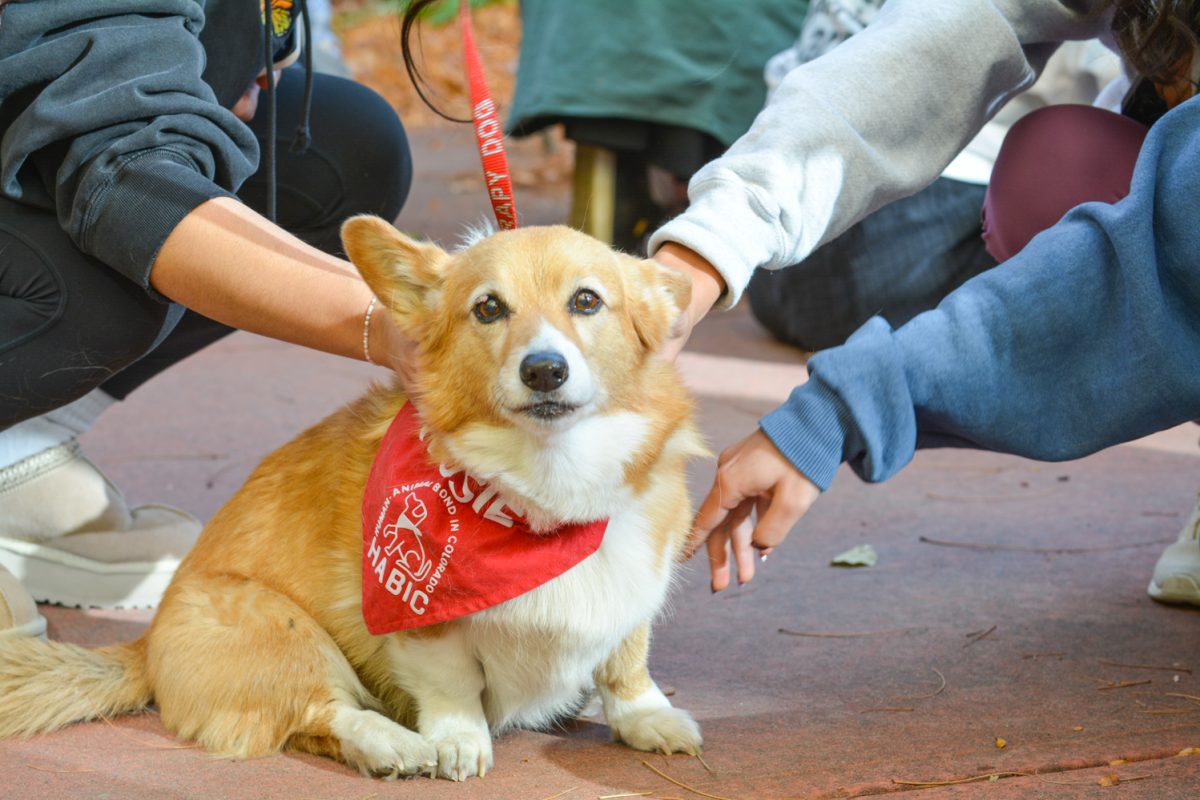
[(538, 380)]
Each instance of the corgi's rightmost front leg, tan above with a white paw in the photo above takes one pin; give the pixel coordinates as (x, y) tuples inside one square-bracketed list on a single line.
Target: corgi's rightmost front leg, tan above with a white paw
[(638, 712)]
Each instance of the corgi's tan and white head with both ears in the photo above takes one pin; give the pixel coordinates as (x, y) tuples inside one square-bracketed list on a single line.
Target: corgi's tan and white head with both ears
[(536, 328)]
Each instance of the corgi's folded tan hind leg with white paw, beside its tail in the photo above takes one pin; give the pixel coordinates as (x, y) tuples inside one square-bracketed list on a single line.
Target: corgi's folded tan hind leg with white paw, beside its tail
[(247, 672)]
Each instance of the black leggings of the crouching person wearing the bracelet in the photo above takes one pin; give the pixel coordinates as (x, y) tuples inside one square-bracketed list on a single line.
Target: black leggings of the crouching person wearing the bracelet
[(70, 324)]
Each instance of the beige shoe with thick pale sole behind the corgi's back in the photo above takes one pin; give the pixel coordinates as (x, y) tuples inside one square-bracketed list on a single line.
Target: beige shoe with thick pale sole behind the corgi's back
[(69, 537)]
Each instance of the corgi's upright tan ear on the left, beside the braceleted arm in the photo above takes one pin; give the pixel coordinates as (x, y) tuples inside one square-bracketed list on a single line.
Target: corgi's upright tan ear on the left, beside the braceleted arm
[(404, 274)]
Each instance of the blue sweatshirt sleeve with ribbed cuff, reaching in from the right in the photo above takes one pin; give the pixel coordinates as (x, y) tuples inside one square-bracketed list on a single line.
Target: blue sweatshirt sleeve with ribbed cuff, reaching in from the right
[(1087, 339)]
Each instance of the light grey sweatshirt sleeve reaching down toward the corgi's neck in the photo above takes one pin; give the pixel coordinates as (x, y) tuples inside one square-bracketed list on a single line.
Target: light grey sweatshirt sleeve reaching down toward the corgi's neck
[(874, 121)]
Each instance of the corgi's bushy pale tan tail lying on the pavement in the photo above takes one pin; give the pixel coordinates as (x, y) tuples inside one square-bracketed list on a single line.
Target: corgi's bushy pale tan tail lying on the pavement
[(49, 685)]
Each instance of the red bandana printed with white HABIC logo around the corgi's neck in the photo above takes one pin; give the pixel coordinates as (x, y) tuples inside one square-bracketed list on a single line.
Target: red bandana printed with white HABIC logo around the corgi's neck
[(439, 545)]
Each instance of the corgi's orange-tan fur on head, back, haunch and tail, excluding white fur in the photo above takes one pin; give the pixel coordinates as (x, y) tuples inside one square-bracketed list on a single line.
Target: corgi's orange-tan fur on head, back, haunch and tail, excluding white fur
[(260, 643)]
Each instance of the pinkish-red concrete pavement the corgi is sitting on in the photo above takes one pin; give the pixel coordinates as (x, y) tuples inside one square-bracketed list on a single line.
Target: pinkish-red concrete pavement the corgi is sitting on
[(1009, 603)]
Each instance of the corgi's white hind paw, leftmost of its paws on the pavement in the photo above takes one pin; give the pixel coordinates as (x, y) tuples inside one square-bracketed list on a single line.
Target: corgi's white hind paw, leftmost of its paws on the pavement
[(380, 748)]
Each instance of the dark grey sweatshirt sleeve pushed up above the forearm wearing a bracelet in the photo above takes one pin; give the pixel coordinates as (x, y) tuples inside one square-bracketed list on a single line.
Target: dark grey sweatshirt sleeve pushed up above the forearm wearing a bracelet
[(106, 121)]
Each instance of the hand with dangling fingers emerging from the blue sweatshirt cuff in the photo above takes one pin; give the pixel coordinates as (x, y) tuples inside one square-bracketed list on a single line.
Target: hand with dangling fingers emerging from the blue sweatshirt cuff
[(753, 479)]
